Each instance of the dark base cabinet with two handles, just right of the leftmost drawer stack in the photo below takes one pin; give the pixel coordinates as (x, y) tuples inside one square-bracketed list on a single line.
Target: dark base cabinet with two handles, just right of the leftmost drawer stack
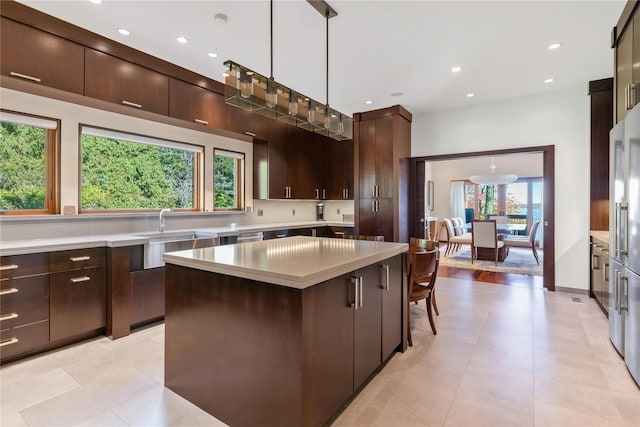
[(78, 292)]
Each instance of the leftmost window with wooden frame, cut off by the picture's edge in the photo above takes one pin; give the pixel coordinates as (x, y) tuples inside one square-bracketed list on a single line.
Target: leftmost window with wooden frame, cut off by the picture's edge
[(28, 164)]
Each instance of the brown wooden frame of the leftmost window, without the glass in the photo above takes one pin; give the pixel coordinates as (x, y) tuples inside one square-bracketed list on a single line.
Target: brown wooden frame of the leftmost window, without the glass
[(52, 167)]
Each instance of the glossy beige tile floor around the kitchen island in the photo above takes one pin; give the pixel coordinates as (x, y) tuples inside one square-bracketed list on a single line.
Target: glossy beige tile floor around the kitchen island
[(503, 356)]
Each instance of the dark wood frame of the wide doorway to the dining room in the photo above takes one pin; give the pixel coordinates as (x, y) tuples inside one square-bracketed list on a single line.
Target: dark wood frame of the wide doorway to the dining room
[(419, 192)]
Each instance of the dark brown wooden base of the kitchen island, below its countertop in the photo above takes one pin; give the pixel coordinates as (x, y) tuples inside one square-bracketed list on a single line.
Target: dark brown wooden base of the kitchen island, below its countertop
[(252, 353)]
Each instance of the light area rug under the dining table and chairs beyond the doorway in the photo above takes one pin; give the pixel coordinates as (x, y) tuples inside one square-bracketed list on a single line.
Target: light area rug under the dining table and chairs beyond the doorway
[(519, 261)]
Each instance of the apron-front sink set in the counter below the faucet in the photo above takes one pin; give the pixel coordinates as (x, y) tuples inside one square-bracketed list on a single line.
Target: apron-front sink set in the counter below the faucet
[(159, 243)]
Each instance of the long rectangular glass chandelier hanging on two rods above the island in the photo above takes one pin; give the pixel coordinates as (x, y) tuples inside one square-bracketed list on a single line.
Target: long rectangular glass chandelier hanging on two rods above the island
[(254, 92)]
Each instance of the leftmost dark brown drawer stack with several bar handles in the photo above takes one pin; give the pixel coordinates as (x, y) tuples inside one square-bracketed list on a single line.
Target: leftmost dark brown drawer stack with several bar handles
[(24, 304)]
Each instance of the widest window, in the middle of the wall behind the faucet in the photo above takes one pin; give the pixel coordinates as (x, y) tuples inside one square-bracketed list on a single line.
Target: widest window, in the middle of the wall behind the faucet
[(122, 171)]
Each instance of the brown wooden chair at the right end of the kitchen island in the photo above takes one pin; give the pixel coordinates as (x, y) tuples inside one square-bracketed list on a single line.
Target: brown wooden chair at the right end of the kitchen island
[(421, 281)]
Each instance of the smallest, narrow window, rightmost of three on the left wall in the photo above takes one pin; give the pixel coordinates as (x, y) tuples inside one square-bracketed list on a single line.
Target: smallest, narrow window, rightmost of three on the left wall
[(228, 180)]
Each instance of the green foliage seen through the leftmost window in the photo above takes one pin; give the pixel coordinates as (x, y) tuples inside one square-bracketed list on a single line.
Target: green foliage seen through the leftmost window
[(22, 167)]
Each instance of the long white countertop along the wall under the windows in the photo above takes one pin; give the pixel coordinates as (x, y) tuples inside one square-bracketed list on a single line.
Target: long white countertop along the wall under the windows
[(19, 247)]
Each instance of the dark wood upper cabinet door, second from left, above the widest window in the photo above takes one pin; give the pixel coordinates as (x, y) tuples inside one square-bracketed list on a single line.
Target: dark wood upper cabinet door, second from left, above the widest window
[(122, 82)]
